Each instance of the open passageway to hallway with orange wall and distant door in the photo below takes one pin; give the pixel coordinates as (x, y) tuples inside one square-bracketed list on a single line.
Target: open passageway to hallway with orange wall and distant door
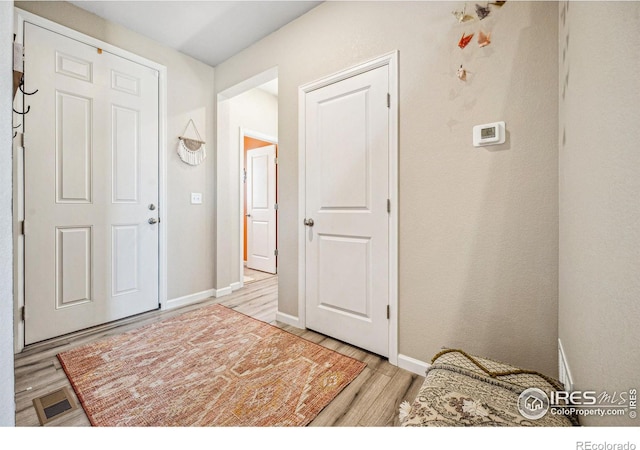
[(247, 122)]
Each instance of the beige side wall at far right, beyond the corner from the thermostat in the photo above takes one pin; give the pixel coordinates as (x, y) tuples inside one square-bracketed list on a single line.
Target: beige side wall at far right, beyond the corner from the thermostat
[(599, 305)]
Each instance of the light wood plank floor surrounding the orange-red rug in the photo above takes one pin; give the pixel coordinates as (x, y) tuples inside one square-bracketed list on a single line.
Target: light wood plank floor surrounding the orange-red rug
[(371, 400)]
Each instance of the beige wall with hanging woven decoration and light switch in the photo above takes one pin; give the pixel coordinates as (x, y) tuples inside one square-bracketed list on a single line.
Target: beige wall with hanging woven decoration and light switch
[(191, 228)]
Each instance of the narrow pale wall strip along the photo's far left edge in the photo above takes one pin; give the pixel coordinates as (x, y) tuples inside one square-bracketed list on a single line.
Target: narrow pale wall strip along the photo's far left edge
[(7, 399)]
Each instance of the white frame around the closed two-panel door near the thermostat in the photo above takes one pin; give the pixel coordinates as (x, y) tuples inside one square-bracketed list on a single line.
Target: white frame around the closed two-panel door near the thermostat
[(391, 61)]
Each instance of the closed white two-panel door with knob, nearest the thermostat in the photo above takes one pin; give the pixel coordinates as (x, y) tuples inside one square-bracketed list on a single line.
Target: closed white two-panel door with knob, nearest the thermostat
[(347, 220)]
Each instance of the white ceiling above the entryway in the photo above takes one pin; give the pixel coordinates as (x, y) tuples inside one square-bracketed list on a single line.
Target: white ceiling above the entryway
[(209, 31)]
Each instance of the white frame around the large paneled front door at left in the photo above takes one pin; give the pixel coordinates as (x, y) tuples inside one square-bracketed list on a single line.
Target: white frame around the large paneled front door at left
[(20, 17)]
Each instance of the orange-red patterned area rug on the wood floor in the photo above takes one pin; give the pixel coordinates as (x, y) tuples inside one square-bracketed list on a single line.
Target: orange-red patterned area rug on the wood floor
[(209, 367)]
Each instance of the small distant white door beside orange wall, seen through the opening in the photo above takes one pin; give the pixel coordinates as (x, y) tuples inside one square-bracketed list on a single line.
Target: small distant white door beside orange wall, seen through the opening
[(261, 209)]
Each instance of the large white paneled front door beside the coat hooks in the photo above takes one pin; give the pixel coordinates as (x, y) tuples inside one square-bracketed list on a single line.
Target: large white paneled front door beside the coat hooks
[(91, 178)]
